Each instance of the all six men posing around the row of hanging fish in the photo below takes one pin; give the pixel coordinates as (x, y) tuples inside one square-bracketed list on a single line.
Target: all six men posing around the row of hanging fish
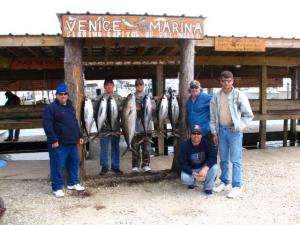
[(217, 120)]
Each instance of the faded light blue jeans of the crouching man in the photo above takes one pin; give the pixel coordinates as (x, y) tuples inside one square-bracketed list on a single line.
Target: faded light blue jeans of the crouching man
[(211, 175)]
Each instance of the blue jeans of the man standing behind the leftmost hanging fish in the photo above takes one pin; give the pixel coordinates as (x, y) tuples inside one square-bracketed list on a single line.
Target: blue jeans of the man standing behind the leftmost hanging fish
[(115, 152)]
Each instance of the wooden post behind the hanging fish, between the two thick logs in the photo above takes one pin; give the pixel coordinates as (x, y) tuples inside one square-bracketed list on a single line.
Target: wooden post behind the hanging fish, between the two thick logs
[(159, 92)]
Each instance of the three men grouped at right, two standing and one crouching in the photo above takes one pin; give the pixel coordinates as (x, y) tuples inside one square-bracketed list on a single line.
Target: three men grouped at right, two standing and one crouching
[(215, 121)]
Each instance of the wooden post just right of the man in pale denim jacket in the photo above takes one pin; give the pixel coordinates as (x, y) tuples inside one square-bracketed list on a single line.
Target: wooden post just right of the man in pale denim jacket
[(263, 107)]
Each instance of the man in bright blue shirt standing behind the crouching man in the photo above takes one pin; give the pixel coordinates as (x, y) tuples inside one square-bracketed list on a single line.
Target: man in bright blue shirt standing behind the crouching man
[(198, 109)]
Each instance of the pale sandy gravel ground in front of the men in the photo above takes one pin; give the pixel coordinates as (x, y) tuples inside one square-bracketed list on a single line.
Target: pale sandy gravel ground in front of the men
[(271, 196)]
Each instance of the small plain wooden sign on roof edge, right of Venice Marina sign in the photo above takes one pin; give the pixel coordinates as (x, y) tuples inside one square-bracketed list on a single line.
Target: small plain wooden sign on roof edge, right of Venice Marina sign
[(240, 44)]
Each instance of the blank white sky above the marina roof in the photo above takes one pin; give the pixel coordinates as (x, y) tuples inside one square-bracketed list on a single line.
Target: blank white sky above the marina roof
[(228, 17)]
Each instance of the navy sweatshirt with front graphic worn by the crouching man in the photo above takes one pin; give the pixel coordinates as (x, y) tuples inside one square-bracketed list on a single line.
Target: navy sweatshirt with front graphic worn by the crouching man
[(194, 157)]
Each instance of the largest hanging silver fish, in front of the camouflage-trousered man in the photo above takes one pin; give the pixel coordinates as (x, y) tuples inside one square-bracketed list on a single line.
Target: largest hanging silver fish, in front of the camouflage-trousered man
[(128, 121)]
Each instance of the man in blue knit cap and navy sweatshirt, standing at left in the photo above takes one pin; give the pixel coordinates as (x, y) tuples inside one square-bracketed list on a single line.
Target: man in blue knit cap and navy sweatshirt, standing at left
[(63, 135)]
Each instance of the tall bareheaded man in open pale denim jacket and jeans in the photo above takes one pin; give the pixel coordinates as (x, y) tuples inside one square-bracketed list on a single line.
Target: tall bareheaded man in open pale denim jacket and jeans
[(230, 113)]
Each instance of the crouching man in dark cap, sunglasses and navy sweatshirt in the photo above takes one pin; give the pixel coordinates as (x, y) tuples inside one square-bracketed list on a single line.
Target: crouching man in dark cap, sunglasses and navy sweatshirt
[(198, 161)]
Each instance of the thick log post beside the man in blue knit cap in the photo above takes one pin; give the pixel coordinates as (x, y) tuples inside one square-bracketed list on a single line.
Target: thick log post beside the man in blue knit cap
[(74, 81)]
